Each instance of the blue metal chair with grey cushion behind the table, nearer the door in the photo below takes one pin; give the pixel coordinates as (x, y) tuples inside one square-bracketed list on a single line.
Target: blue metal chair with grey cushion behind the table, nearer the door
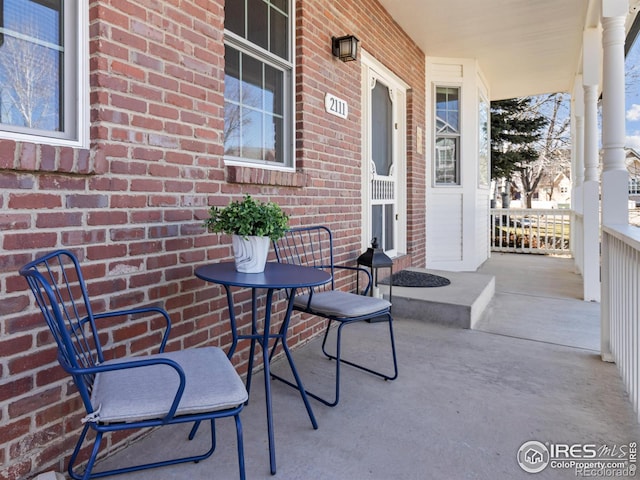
[(313, 247)]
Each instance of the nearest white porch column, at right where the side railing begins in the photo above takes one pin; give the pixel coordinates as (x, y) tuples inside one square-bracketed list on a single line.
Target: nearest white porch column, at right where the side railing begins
[(614, 174)]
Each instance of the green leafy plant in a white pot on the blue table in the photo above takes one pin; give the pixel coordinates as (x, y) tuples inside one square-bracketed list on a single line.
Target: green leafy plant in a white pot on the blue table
[(252, 225)]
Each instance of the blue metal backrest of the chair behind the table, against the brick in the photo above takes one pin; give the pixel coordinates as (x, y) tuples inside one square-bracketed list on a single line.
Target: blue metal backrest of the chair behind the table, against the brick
[(310, 247)]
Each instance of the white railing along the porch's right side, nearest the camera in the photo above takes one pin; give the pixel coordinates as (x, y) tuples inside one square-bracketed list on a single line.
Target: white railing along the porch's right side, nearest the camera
[(620, 336)]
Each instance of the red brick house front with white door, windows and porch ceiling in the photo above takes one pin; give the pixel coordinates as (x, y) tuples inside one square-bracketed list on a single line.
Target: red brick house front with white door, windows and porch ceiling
[(143, 114)]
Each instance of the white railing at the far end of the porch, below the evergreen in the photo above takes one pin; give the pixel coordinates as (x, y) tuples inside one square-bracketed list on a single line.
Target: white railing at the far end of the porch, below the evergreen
[(527, 230)]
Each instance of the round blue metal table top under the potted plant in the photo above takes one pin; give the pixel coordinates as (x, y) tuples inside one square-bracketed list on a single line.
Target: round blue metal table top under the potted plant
[(275, 275)]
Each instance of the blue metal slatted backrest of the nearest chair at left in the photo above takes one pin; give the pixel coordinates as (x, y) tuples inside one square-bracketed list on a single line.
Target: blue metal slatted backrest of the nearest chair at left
[(59, 289)]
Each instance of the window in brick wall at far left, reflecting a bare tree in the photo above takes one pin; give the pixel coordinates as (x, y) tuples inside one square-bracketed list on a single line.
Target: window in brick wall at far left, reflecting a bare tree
[(41, 70)]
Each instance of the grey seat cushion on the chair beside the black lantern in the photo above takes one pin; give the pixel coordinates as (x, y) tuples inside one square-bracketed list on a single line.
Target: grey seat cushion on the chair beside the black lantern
[(336, 303)]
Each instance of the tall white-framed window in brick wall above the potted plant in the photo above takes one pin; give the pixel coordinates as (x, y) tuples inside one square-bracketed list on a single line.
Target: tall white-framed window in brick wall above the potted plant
[(258, 121)]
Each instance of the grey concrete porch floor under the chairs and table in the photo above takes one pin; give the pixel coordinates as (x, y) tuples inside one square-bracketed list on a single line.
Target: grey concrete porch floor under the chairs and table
[(464, 402)]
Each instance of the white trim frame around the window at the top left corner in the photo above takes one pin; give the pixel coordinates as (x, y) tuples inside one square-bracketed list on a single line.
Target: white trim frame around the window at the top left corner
[(76, 103)]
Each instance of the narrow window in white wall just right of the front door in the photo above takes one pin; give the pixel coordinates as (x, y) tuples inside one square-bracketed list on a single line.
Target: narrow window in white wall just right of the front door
[(447, 136)]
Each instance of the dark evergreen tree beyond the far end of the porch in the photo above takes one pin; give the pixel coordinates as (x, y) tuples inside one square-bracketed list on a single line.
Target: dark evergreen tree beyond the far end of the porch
[(514, 131)]
